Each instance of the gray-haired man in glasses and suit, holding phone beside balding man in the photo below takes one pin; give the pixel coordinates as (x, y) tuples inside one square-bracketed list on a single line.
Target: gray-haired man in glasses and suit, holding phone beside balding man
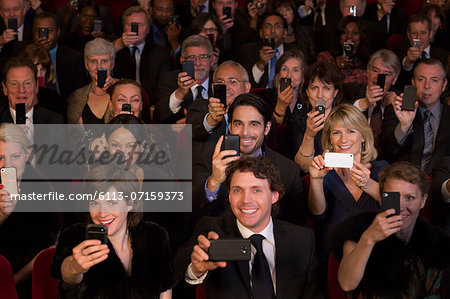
[(177, 90)]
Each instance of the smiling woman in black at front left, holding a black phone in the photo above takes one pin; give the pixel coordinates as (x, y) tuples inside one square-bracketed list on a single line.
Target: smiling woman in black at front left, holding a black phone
[(136, 260)]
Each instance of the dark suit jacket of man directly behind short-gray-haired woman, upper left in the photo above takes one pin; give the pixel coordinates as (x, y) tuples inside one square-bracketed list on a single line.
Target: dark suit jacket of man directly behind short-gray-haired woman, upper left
[(154, 62)]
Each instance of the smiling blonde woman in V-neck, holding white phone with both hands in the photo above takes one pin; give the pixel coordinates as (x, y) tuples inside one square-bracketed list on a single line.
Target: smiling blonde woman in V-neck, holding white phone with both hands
[(338, 192)]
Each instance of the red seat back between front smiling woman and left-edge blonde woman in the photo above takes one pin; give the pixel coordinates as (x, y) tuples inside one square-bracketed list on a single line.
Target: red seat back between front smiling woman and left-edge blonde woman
[(44, 286)]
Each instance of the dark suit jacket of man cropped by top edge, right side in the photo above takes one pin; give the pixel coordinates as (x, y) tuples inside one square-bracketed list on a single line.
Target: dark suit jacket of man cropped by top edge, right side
[(397, 23)]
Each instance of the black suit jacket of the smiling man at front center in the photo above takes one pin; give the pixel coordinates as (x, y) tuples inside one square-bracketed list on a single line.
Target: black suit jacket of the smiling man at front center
[(295, 262)]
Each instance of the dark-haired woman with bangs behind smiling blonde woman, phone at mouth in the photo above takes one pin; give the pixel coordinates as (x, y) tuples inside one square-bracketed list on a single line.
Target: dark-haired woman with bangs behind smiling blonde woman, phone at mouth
[(322, 82)]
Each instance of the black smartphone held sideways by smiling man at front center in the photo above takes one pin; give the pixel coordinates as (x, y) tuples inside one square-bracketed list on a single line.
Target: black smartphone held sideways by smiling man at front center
[(233, 250)]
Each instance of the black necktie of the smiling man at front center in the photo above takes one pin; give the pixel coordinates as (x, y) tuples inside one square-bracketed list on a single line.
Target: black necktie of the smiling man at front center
[(262, 286)]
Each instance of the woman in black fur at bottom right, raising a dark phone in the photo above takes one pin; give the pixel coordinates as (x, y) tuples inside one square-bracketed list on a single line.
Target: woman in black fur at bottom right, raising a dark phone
[(393, 254)]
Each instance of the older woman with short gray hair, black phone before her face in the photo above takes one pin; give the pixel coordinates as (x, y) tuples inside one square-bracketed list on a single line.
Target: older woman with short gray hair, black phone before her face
[(90, 104)]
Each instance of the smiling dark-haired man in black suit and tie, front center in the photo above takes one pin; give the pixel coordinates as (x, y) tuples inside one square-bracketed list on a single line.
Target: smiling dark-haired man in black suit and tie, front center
[(283, 259)]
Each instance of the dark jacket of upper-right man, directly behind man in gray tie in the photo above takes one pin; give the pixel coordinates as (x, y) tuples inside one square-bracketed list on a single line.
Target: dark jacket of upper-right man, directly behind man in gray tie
[(404, 78)]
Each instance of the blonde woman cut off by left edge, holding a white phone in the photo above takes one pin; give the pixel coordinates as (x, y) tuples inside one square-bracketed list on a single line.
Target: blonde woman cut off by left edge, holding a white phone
[(24, 233)]
